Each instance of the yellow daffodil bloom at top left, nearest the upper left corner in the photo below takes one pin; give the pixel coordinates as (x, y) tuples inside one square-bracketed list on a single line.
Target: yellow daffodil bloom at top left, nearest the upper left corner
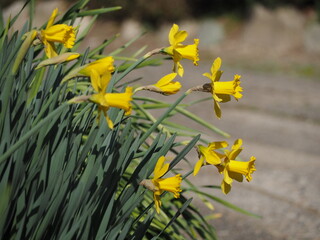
[(60, 33)]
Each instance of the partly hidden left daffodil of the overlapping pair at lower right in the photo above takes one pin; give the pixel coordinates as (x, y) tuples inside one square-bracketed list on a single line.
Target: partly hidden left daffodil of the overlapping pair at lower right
[(207, 155)]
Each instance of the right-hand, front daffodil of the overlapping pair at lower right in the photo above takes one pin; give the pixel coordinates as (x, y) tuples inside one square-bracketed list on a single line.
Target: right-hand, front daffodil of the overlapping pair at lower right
[(235, 170)]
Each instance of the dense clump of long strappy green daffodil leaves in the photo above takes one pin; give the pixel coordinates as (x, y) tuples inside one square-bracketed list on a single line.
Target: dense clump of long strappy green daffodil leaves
[(65, 175)]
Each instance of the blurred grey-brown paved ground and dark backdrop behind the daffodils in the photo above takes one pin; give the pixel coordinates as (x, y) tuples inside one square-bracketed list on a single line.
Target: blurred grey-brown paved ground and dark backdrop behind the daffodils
[(275, 46)]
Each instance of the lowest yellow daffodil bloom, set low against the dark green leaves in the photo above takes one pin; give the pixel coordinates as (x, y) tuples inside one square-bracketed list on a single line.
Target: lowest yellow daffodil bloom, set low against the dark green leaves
[(158, 185)]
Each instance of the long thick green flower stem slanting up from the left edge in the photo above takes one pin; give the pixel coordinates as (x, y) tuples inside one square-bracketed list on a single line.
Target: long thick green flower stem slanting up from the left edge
[(34, 130)]
